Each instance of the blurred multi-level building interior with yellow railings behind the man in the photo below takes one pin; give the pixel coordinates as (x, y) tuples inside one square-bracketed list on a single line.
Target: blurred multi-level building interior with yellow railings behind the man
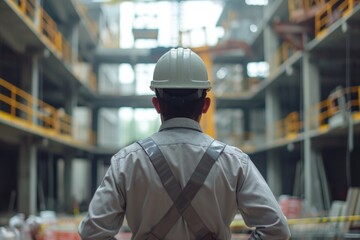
[(286, 77)]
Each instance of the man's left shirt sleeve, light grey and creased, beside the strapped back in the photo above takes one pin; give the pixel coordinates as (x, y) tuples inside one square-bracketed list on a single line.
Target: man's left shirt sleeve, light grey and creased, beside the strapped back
[(106, 210)]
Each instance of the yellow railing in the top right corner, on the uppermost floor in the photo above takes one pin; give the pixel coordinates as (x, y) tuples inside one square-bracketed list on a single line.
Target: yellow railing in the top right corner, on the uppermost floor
[(333, 10)]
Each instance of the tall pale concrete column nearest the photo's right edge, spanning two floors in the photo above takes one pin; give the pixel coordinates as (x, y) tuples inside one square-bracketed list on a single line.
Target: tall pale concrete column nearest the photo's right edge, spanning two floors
[(311, 86)]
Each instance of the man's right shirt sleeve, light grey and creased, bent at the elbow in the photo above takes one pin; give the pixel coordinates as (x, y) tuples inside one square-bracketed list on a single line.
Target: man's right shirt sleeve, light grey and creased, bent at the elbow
[(259, 207)]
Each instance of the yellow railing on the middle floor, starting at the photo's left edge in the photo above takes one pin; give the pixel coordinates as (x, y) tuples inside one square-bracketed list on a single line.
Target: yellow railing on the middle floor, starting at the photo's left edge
[(20, 107)]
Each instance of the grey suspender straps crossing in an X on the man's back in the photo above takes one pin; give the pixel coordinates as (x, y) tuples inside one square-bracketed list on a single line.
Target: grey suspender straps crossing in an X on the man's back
[(181, 198)]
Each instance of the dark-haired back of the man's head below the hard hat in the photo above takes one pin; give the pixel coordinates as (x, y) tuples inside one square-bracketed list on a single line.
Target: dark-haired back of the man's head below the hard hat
[(186, 103)]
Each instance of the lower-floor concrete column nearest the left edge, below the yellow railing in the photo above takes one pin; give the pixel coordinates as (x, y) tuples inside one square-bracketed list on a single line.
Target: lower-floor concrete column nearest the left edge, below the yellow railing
[(27, 177)]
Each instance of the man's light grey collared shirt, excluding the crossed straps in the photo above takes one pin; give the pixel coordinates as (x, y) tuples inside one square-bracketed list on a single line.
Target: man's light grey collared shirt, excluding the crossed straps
[(132, 188)]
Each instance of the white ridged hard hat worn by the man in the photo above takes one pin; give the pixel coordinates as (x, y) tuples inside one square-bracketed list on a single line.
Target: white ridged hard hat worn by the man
[(180, 69)]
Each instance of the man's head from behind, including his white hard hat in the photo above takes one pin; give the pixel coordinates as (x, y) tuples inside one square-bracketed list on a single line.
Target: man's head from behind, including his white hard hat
[(180, 82)]
